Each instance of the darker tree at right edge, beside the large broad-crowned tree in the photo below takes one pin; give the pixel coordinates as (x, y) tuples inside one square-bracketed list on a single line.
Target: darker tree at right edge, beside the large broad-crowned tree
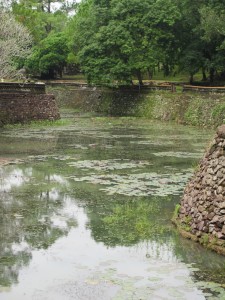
[(201, 34)]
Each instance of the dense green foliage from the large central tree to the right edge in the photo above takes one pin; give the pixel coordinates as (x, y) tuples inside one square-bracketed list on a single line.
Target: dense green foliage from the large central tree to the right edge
[(116, 40)]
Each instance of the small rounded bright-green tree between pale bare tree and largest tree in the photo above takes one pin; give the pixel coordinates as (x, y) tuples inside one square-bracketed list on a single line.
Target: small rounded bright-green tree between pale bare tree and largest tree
[(49, 56)]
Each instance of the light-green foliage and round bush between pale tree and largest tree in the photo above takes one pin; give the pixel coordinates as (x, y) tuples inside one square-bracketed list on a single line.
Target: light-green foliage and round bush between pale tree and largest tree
[(46, 24)]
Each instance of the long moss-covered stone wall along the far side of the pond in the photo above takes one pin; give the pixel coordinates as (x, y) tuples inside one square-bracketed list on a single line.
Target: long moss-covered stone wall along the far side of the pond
[(203, 110)]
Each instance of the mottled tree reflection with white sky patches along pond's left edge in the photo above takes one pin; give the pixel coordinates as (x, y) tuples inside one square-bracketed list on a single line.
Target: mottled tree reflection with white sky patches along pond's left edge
[(34, 214)]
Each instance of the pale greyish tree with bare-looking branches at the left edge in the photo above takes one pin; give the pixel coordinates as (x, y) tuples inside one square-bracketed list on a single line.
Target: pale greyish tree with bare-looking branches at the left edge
[(15, 44)]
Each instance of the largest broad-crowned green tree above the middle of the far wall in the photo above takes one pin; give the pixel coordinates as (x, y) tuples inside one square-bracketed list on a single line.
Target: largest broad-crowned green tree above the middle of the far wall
[(126, 41)]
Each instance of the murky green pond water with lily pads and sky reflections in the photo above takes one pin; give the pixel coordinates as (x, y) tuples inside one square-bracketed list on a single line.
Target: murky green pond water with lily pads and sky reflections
[(85, 212)]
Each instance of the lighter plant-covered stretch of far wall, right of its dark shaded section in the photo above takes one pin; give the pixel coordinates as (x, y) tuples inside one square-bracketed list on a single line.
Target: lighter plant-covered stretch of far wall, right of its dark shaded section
[(184, 108)]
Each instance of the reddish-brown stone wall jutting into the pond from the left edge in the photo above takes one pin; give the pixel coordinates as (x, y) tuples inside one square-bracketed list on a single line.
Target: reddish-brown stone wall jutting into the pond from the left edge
[(25, 107)]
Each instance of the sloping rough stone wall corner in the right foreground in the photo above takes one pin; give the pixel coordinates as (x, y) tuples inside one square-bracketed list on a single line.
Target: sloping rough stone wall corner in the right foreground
[(202, 210)]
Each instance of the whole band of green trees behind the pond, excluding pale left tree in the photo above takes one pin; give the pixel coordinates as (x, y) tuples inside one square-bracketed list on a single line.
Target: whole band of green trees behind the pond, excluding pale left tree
[(115, 41)]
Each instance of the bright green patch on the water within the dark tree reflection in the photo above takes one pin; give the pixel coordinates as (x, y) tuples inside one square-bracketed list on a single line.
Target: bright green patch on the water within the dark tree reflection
[(126, 224)]
